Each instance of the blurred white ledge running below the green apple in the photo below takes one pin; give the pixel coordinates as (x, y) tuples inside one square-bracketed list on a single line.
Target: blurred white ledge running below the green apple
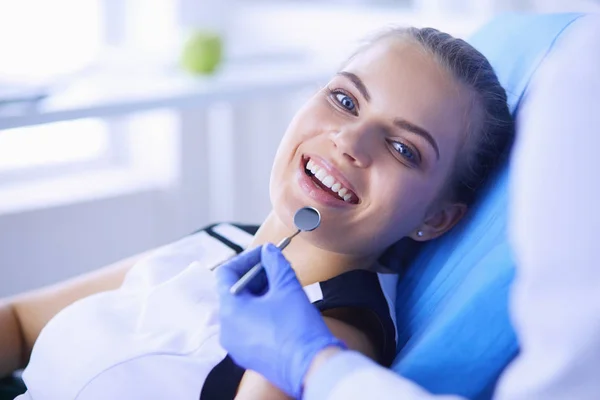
[(105, 94)]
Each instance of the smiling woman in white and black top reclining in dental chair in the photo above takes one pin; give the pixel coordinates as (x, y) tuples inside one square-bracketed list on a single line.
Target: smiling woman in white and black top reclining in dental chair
[(396, 145)]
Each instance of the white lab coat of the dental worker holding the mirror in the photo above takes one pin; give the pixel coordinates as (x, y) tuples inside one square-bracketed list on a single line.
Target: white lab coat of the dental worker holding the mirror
[(554, 228)]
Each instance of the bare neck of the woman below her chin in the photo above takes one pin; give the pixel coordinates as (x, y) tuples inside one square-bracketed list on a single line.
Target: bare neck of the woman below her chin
[(311, 263)]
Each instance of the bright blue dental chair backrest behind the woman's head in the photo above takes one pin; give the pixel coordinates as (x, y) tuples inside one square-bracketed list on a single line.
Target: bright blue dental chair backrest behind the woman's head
[(454, 332)]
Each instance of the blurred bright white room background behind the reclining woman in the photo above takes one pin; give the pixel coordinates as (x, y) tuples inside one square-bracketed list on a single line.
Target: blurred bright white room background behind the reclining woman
[(110, 146)]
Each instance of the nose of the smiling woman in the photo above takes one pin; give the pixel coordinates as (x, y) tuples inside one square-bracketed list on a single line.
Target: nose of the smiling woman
[(355, 143)]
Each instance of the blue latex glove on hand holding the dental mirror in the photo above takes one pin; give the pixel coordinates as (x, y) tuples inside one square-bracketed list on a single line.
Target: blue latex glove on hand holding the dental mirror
[(276, 333)]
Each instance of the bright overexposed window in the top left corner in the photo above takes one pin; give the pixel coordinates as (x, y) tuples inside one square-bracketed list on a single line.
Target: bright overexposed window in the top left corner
[(43, 39)]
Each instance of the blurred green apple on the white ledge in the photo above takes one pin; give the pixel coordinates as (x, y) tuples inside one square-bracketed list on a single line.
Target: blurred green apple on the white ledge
[(202, 52)]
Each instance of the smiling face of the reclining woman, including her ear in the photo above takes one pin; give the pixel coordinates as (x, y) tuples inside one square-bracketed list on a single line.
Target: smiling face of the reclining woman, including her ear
[(373, 150)]
